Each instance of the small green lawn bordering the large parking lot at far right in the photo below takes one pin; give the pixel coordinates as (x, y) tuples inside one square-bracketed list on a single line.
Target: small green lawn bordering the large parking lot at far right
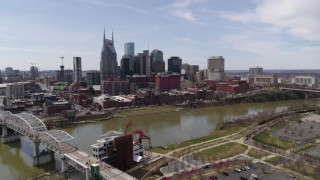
[(266, 137)]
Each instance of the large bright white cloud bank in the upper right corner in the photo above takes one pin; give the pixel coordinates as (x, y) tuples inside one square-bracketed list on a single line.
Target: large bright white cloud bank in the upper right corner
[(299, 18)]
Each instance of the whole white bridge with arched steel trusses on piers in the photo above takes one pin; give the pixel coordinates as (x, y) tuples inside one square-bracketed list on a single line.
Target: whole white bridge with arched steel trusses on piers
[(57, 141)]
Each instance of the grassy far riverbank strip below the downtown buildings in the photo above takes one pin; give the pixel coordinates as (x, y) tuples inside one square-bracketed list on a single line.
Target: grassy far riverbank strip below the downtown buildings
[(268, 95)]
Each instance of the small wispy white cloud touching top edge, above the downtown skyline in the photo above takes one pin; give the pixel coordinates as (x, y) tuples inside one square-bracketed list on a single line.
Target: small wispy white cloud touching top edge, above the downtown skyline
[(181, 9)]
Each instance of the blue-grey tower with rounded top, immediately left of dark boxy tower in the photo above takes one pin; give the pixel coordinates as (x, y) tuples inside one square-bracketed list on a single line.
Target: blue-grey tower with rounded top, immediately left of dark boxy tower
[(156, 61)]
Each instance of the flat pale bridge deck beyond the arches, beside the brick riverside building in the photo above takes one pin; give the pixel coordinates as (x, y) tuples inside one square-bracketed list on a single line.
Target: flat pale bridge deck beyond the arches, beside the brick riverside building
[(105, 170)]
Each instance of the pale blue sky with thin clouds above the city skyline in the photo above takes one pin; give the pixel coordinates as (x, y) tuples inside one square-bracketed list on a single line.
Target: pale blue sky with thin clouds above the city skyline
[(273, 34)]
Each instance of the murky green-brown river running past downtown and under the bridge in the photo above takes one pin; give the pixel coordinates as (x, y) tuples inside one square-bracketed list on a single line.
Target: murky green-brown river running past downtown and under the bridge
[(16, 158)]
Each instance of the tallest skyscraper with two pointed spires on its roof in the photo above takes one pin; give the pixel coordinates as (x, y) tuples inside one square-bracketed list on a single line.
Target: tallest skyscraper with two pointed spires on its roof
[(108, 62)]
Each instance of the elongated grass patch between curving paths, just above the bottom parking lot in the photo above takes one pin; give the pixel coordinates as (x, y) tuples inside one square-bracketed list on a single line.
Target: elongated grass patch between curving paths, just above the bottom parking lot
[(221, 152)]
